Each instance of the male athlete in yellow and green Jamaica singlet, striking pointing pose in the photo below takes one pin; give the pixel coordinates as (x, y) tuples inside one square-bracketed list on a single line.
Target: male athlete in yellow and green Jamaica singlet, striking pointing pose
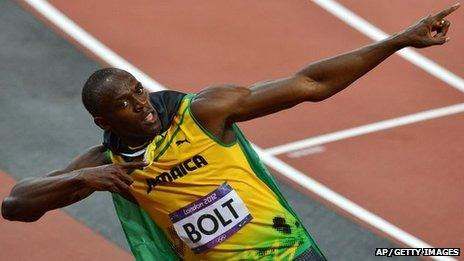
[(186, 184)]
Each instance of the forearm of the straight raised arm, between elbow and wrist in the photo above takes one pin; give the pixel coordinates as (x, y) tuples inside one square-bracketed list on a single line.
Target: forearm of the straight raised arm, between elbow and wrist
[(336, 73)]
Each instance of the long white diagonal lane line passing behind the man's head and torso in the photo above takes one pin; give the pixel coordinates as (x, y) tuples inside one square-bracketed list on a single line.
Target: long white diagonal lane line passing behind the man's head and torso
[(286, 170)]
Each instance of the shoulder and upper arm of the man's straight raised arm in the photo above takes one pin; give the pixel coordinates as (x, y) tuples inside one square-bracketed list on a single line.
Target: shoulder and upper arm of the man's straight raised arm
[(230, 103)]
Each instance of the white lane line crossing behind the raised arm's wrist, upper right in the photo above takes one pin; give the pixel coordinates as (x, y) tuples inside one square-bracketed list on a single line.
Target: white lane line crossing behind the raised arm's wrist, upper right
[(376, 34)]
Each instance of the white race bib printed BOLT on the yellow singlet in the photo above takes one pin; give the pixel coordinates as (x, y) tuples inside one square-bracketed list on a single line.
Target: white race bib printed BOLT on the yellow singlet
[(212, 219)]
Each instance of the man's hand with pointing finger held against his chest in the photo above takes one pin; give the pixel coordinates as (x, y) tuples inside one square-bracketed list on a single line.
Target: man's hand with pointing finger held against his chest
[(111, 177)]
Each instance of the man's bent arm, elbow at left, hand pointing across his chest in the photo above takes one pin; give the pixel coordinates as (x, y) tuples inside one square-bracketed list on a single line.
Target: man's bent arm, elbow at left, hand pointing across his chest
[(31, 198)]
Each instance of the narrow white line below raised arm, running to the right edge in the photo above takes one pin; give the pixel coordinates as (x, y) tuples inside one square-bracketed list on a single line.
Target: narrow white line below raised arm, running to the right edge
[(365, 129)]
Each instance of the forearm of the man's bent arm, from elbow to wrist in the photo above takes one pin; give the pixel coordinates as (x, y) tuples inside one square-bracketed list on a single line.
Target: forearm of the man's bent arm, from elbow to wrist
[(31, 198)]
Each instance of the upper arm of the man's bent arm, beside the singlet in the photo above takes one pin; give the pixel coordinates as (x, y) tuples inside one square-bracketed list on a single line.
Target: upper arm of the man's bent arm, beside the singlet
[(93, 157)]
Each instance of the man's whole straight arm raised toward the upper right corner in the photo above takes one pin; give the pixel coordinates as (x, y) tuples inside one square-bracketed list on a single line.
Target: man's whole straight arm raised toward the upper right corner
[(218, 107)]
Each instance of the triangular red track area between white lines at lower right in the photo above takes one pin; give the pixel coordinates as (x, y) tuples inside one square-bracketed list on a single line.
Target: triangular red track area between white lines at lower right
[(409, 176)]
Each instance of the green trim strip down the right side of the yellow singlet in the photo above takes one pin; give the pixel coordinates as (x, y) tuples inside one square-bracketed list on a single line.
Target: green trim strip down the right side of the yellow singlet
[(262, 172)]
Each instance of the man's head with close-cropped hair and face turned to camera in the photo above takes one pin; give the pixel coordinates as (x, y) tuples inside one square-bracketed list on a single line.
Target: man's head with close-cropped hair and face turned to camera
[(120, 104)]
